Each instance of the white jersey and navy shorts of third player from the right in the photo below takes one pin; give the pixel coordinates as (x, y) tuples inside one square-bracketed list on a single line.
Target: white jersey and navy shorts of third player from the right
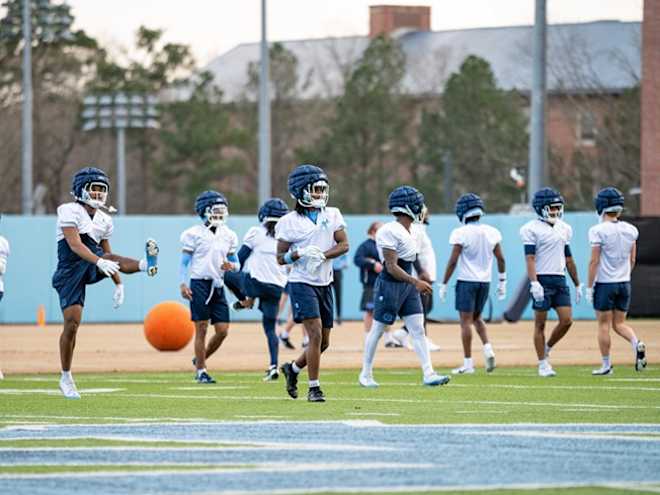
[(475, 264)]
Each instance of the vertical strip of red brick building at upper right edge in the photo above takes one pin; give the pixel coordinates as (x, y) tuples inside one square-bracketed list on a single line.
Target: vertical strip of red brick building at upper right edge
[(650, 106)]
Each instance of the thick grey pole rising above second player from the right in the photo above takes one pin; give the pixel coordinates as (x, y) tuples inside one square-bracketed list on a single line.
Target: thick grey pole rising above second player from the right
[(537, 145)]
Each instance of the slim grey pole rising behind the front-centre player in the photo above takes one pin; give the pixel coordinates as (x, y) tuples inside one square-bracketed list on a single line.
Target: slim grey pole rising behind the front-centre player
[(264, 113)]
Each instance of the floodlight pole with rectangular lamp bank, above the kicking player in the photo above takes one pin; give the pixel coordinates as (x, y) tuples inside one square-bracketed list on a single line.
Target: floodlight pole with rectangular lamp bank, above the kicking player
[(120, 111)]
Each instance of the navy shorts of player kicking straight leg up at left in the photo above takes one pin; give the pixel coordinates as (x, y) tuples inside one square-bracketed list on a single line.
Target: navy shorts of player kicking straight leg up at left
[(70, 280)]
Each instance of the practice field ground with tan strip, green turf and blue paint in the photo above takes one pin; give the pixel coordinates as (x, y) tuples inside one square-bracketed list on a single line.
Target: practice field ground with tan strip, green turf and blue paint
[(159, 432)]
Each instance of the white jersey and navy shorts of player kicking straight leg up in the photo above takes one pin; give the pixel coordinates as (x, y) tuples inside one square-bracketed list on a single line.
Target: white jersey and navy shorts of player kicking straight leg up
[(73, 273)]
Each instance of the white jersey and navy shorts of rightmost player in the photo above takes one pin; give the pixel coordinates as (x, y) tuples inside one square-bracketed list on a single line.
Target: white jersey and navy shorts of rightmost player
[(616, 240)]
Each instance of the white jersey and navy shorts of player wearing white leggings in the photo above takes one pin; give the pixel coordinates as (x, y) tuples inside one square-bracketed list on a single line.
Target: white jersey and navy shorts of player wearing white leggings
[(393, 297)]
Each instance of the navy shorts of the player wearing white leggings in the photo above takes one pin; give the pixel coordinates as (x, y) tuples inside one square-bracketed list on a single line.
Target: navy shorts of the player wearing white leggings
[(395, 298)]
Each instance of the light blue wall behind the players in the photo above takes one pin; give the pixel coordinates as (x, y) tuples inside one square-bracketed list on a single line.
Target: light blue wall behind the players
[(33, 259)]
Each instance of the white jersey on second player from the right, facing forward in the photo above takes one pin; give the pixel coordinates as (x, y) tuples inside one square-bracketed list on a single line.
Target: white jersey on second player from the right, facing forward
[(550, 242)]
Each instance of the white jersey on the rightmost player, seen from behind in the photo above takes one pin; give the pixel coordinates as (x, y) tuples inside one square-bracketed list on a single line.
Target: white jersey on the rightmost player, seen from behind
[(616, 240)]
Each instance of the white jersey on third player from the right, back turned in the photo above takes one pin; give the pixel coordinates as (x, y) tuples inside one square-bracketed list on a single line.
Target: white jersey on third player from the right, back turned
[(478, 240)]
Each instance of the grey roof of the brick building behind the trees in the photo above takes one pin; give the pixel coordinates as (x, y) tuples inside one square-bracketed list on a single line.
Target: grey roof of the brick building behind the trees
[(585, 57)]
